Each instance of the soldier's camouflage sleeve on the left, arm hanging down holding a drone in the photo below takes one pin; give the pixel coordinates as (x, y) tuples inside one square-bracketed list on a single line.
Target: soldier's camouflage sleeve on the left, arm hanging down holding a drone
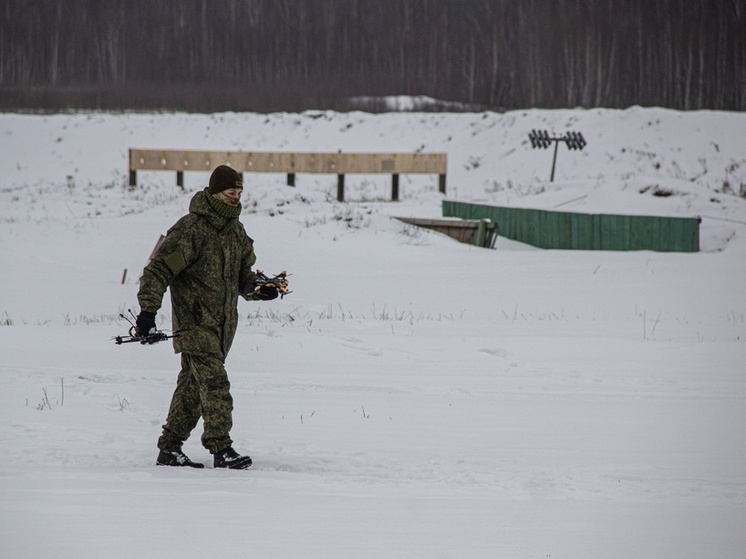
[(174, 254)]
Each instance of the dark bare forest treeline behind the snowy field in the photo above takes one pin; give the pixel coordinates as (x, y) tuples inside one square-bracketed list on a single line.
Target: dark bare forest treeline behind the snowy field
[(265, 55)]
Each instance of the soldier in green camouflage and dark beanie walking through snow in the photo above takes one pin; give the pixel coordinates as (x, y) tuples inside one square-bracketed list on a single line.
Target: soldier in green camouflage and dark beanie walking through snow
[(206, 260)]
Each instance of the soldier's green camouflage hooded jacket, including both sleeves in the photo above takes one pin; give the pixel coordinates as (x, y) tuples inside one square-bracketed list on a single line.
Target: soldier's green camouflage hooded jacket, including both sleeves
[(206, 261)]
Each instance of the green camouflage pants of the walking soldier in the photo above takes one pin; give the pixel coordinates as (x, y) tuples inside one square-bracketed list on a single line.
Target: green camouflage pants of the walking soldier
[(202, 390)]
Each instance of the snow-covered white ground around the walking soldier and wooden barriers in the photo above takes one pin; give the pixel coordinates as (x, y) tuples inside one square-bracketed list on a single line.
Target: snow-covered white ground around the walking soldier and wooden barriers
[(413, 396)]
